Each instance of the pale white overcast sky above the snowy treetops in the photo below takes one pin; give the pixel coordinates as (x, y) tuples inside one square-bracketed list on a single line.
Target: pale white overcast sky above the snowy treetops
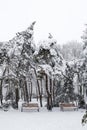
[(65, 19)]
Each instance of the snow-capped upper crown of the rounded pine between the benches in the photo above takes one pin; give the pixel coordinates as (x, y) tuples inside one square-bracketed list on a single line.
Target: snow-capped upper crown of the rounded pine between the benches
[(49, 54)]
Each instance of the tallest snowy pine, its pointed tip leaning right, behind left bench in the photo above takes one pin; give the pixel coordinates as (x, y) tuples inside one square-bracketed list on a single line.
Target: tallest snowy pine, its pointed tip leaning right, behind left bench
[(26, 57)]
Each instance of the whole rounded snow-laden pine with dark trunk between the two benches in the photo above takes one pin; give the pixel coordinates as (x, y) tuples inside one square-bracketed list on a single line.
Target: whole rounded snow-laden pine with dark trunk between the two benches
[(50, 60)]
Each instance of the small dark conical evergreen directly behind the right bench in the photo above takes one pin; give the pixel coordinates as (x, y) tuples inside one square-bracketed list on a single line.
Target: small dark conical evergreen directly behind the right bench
[(68, 88)]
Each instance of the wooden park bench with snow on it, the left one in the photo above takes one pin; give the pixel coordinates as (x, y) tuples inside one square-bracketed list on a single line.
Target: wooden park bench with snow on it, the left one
[(29, 106)]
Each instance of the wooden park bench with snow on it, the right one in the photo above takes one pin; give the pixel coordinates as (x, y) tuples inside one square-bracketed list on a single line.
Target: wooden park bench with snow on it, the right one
[(67, 106)]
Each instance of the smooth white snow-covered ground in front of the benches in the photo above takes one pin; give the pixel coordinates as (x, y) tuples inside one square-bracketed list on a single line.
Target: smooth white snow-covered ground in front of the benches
[(43, 120)]
